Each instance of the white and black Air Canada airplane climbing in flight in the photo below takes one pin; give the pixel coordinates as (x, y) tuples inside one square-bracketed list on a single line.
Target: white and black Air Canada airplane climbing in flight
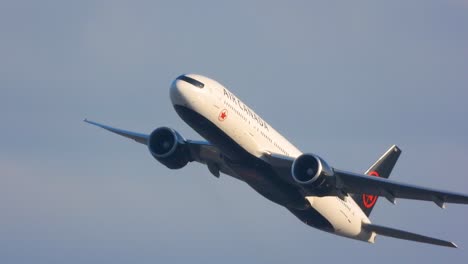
[(239, 143)]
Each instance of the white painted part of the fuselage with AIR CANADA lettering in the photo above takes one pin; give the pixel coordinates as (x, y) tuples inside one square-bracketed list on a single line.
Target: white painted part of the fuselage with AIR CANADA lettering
[(221, 107)]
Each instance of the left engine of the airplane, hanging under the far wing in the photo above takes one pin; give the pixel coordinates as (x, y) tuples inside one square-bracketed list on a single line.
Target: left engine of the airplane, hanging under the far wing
[(169, 148)]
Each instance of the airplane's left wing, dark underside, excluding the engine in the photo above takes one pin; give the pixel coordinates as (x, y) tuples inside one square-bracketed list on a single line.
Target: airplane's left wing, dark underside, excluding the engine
[(200, 151)]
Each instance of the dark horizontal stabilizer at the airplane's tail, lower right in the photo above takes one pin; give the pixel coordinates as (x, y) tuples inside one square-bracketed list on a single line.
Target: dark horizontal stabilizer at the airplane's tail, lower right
[(395, 233)]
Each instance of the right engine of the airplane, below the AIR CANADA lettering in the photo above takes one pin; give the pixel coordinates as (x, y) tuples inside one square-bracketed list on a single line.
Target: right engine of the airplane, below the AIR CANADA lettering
[(311, 170)]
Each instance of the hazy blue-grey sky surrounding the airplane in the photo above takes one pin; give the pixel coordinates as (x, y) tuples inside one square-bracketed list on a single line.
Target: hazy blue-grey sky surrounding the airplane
[(342, 79)]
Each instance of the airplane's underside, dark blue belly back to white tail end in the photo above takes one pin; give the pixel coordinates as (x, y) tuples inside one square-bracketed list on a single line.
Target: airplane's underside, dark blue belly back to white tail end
[(319, 212)]
